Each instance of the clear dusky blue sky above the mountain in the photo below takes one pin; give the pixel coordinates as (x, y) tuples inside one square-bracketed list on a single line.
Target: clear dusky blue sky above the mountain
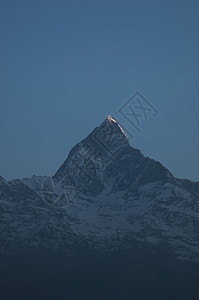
[(66, 65)]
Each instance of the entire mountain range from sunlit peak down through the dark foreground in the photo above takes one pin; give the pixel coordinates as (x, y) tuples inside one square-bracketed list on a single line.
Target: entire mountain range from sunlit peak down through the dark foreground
[(107, 205)]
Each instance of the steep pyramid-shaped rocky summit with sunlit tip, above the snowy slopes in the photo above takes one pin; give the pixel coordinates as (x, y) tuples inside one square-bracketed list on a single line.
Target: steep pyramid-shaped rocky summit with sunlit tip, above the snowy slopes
[(105, 158)]
